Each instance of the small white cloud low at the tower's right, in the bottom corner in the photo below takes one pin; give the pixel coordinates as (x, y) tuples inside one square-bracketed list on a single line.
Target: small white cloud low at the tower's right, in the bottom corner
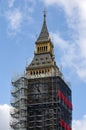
[(80, 124)]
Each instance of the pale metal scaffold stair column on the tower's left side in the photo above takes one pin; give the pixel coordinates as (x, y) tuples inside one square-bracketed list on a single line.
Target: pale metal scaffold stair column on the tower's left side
[(19, 104)]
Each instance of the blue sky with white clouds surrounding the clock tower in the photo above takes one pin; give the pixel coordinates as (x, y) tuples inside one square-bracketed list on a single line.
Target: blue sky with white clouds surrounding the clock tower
[(20, 25)]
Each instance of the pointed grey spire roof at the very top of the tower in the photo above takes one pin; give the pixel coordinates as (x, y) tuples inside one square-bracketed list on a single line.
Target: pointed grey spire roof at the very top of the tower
[(44, 34)]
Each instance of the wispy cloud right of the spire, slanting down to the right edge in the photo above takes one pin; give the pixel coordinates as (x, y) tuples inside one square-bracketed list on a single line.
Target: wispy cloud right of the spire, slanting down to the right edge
[(71, 55)]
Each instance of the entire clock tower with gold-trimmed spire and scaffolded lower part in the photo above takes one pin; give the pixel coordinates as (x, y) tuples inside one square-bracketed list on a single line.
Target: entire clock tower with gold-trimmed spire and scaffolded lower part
[(41, 98)]
